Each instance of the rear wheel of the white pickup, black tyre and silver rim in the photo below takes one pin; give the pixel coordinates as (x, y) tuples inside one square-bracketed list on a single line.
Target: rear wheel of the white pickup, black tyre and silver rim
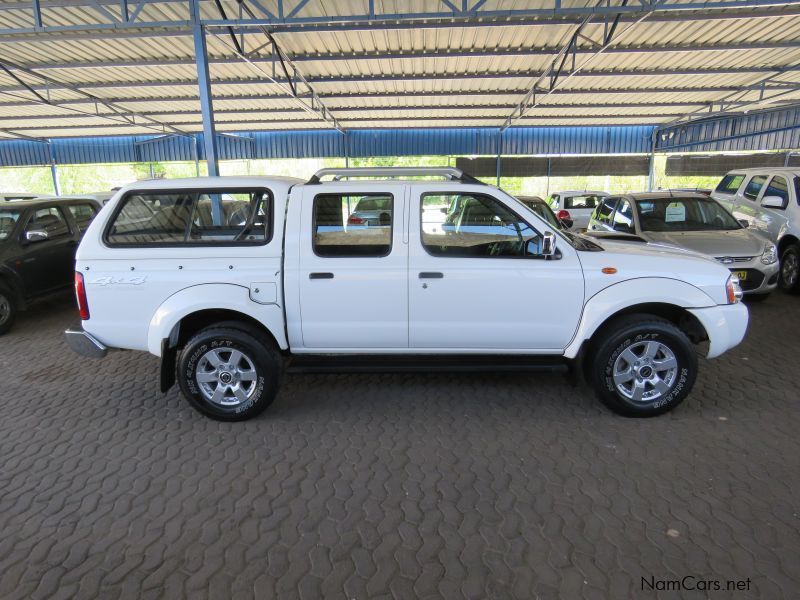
[(229, 374)]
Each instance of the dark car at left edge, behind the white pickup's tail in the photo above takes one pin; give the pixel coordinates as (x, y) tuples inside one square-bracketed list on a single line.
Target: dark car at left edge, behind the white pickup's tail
[(38, 240)]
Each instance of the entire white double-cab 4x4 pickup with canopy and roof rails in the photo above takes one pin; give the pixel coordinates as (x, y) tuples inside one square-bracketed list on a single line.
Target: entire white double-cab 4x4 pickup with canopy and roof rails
[(232, 281)]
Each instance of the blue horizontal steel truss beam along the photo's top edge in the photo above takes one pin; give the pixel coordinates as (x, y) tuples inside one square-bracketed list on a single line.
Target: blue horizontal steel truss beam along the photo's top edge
[(102, 19)]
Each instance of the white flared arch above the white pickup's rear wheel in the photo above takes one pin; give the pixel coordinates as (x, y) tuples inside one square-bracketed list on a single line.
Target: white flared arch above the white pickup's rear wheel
[(212, 296)]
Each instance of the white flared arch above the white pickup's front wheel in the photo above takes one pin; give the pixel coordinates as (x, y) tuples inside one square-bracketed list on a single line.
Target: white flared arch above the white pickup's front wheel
[(646, 290)]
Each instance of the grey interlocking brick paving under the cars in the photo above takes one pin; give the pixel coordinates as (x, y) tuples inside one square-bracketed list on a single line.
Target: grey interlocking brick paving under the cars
[(434, 486)]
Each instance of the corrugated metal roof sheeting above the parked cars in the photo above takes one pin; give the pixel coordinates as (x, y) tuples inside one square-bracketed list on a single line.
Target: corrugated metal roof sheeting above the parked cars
[(436, 74)]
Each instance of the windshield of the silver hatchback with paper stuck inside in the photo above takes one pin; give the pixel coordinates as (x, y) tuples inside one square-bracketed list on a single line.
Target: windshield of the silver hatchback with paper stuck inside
[(684, 214)]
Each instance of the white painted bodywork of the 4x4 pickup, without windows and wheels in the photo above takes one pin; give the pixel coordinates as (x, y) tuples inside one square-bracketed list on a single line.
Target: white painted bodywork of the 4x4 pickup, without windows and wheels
[(139, 296)]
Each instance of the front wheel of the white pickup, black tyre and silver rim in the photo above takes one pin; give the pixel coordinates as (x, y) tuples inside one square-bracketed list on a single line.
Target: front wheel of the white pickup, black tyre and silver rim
[(643, 366)]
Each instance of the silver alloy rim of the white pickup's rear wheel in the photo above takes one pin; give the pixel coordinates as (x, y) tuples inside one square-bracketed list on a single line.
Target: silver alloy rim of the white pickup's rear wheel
[(226, 377)]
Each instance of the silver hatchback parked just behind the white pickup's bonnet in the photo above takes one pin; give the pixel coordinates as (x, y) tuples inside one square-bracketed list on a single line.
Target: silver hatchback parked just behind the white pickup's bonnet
[(698, 223)]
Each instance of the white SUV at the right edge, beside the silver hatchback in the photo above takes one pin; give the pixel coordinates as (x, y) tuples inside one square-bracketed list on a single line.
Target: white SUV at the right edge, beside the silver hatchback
[(768, 200)]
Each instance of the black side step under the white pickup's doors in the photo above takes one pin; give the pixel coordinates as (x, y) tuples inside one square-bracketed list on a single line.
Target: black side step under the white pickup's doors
[(422, 363)]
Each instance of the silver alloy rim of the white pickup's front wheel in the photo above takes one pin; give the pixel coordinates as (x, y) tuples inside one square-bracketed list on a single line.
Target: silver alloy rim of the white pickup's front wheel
[(645, 371)]
